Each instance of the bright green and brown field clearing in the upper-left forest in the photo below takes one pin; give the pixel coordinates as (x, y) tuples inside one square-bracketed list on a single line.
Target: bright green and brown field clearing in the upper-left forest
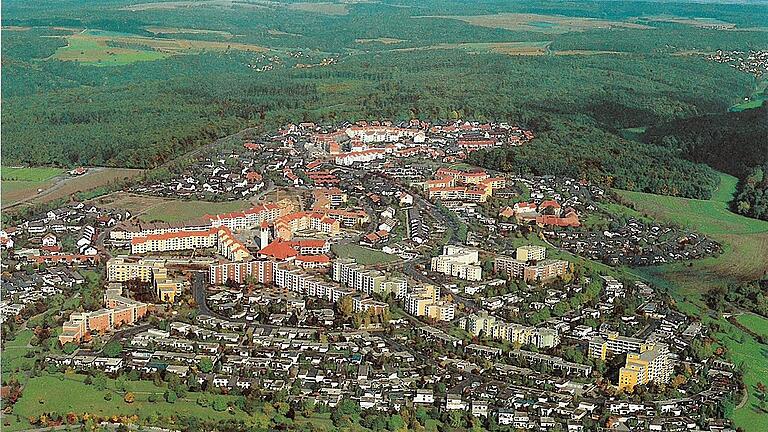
[(100, 48)]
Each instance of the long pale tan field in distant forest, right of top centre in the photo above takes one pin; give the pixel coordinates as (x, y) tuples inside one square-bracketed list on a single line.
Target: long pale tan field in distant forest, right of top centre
[(553, 24)]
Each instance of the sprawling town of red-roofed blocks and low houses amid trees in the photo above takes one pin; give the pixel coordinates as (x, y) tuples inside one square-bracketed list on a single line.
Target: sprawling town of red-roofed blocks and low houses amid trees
[(376, 267)]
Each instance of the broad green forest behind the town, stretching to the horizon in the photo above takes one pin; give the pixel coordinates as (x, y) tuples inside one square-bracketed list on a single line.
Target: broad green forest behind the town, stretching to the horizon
[(145, 113)]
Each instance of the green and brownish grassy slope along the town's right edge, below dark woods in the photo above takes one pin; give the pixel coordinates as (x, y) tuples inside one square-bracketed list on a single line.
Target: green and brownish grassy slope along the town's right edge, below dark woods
[(745, 257)]
